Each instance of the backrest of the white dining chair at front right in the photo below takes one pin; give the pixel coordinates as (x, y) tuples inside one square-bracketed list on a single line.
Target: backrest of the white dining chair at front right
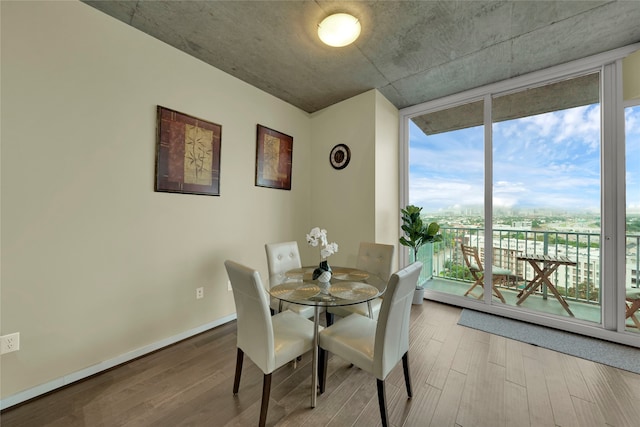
[(392, 331)]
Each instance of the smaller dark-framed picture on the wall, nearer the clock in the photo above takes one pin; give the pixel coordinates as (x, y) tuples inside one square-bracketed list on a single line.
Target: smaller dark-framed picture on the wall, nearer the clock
[(274, 154)]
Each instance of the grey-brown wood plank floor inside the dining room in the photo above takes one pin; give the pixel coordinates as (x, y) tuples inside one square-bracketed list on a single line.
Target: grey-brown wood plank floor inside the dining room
[(461, 377)]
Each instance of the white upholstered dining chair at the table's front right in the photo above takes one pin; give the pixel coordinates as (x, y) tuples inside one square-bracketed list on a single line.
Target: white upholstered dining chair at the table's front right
[(376, 346)]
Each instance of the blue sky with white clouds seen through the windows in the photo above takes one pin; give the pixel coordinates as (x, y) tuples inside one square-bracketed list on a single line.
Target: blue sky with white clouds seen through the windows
[(548, 161)]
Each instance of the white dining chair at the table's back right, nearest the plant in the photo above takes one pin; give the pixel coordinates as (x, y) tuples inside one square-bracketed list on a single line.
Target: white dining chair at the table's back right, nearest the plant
[(376, 258)]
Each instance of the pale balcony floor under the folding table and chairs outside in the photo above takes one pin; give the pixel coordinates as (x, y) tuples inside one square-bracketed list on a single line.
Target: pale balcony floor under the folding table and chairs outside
[(582, 311)]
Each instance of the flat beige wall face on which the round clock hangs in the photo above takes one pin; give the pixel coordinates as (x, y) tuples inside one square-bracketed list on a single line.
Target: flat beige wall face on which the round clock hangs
[(343, 200)]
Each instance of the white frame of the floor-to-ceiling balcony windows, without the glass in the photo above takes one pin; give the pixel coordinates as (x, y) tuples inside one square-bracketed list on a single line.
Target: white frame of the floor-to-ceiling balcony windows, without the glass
[(609, 65)]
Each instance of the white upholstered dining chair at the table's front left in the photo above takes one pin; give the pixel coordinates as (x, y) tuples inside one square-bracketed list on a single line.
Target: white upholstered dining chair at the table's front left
[(269, 341)]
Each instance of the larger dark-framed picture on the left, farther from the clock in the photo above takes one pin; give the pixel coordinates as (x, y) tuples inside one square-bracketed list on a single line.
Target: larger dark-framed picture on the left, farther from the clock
[(187, 154)]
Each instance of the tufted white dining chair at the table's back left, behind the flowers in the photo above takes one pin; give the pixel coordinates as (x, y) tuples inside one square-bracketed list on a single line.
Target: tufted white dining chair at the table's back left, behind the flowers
[(282, 257)]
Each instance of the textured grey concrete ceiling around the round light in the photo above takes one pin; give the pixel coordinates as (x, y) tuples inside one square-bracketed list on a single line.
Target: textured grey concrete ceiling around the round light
[(411, 51)]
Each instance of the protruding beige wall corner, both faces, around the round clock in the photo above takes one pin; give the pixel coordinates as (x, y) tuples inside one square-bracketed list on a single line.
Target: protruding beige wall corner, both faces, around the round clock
[(344, 201)]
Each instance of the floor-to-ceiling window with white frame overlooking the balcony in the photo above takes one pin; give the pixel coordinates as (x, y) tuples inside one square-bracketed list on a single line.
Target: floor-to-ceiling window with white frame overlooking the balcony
[(517, 170)]
